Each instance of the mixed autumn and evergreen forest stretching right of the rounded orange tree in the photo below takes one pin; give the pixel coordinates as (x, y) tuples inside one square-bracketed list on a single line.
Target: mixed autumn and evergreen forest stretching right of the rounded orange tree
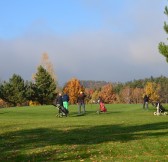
[(131, 91)]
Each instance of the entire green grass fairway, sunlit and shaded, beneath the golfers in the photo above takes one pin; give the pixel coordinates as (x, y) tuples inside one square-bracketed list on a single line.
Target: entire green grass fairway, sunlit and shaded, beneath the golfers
[(124, 133)]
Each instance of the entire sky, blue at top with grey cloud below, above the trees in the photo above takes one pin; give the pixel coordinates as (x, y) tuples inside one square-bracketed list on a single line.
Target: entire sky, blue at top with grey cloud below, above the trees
[(111, 40)]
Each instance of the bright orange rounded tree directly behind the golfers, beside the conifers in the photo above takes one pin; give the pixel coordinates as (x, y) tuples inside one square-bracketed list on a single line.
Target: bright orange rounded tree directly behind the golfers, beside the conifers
[(72, 88)]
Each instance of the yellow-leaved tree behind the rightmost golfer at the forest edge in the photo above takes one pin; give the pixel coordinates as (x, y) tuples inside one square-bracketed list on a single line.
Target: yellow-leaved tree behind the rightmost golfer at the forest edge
[(152, 90)]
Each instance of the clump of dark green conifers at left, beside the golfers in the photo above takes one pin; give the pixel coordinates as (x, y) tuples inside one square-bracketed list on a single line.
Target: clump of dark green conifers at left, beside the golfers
[(17, 92)]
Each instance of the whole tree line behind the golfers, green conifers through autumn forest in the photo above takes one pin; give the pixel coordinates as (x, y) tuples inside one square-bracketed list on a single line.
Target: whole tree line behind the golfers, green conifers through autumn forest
[(44, 88)]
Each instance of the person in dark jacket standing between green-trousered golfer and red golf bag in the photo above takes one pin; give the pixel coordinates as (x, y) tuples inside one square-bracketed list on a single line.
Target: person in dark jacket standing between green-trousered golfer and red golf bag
[(81, 102)]
